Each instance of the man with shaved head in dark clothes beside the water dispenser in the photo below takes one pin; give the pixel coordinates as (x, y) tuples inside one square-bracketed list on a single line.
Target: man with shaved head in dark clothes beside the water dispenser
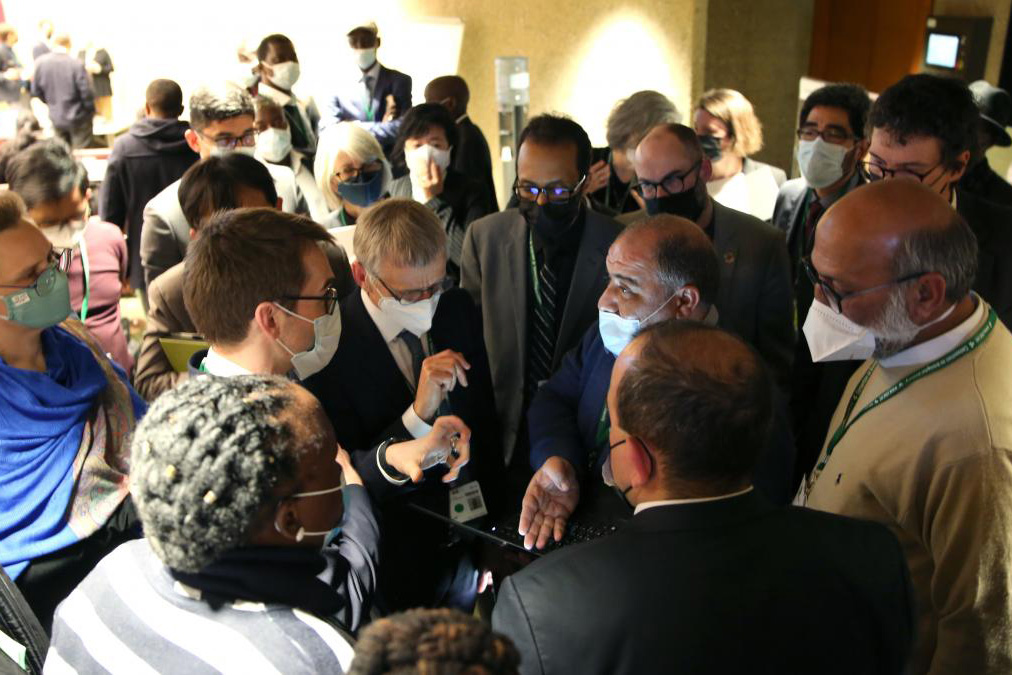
[(471, 156)]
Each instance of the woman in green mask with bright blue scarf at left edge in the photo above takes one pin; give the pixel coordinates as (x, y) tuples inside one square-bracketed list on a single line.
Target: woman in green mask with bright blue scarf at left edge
[(66, 414)]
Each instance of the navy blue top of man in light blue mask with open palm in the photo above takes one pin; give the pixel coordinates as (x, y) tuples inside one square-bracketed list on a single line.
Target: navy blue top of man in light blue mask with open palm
[(564, 418)]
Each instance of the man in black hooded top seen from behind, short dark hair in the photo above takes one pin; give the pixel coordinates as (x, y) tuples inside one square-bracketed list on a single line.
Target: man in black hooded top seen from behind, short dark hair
[(149, 157)]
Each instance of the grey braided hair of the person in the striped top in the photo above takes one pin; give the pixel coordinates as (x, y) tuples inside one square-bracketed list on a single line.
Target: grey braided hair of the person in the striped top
[(206, 459)]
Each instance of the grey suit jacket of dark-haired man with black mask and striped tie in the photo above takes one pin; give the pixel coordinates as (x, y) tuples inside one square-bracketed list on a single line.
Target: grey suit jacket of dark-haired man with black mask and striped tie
[(496, 272)]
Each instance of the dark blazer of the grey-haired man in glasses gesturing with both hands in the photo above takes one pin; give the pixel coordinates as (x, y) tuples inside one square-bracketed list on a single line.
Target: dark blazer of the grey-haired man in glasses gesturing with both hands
[(365, 393)]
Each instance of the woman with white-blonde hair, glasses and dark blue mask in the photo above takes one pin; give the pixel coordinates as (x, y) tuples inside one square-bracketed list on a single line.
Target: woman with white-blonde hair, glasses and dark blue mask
[(352, 173)]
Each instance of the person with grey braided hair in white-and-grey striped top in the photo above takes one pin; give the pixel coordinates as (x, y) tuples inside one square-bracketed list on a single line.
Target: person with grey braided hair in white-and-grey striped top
[(261, 547)]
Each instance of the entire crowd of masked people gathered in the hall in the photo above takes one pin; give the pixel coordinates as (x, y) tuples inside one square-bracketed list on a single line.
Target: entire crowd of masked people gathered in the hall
[(791, 397)]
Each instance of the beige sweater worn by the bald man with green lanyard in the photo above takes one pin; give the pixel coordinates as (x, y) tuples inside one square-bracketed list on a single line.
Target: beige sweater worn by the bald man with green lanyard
[(935, 464)]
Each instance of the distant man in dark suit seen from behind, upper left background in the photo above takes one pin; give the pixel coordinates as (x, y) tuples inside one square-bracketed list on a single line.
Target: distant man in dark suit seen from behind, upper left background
[(62, 83)]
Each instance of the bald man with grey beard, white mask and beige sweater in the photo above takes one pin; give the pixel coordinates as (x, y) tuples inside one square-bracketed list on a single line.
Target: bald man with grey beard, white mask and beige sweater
[(922, 439)]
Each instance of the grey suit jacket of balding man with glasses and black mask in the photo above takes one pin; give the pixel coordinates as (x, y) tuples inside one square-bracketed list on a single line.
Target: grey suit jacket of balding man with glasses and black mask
[(756, 296)]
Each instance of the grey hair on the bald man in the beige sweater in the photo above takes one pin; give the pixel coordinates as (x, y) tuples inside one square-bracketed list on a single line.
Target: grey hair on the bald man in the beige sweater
[(950, 251)]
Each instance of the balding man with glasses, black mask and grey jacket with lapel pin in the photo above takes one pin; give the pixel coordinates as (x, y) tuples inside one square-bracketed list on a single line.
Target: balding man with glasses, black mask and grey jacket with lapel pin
[(755, 300)]
